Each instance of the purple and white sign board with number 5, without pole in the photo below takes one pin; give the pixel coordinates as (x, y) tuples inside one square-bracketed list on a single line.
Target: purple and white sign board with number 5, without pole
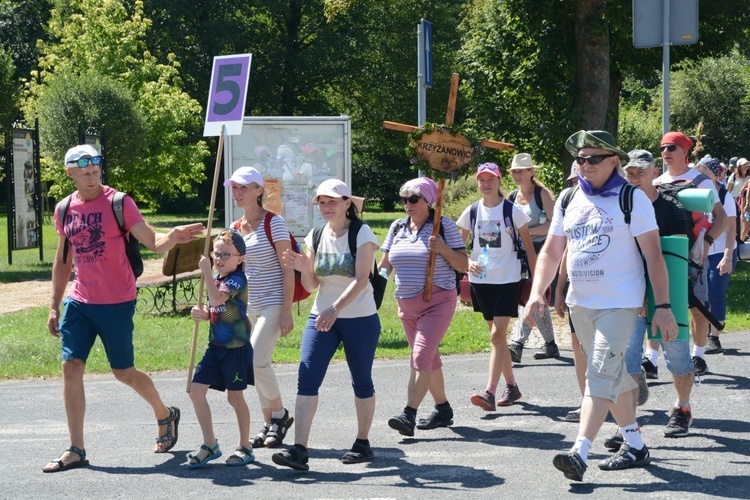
[(228, 93)]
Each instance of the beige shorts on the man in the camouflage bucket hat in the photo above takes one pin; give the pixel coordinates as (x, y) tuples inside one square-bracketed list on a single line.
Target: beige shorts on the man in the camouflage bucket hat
[(604, 335)]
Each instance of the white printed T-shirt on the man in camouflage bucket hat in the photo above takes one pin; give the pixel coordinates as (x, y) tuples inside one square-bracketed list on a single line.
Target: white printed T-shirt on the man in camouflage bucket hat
[(604, 265)]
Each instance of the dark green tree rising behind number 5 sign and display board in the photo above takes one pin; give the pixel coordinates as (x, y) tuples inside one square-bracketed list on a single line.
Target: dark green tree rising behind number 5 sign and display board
[(308, 60)]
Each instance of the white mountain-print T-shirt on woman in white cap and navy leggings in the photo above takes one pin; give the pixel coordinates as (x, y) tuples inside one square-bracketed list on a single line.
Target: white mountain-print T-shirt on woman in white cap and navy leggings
[(334, 265)]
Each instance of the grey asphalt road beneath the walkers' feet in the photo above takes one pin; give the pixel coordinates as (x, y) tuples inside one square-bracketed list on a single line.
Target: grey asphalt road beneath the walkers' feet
[(508, 452)]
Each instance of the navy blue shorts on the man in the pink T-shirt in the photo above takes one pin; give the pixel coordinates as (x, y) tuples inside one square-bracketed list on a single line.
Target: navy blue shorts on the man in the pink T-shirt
[(113, 323)]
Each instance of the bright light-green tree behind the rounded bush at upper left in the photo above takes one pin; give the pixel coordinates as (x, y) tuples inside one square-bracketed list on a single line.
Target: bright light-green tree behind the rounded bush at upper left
[(93, 38)]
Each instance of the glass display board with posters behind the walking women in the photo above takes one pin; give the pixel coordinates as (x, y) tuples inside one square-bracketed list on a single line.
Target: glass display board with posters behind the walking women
[(294, 155)]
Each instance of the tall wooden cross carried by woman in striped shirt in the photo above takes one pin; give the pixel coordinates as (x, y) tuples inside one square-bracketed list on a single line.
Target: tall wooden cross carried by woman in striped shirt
[(445, 166)]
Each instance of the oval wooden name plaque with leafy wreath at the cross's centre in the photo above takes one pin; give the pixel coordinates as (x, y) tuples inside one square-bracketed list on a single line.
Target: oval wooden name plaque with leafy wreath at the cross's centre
[(450, 151)]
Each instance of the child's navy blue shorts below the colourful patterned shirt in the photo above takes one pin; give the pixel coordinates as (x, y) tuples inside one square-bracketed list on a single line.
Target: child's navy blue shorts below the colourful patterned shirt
[(226, 369)]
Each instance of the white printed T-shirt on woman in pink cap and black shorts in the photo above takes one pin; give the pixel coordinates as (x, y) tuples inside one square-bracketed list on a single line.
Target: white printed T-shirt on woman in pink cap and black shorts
[(493, 231)]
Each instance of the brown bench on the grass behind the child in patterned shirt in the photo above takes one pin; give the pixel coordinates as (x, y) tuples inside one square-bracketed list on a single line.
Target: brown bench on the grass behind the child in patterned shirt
[(178, 282)]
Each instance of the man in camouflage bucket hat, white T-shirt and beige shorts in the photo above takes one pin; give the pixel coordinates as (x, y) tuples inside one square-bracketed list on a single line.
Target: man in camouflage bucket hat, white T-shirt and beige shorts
[(607, 287)]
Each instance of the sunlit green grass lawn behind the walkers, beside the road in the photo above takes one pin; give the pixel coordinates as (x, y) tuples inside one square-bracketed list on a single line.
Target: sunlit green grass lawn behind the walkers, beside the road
[(163, 342)]
